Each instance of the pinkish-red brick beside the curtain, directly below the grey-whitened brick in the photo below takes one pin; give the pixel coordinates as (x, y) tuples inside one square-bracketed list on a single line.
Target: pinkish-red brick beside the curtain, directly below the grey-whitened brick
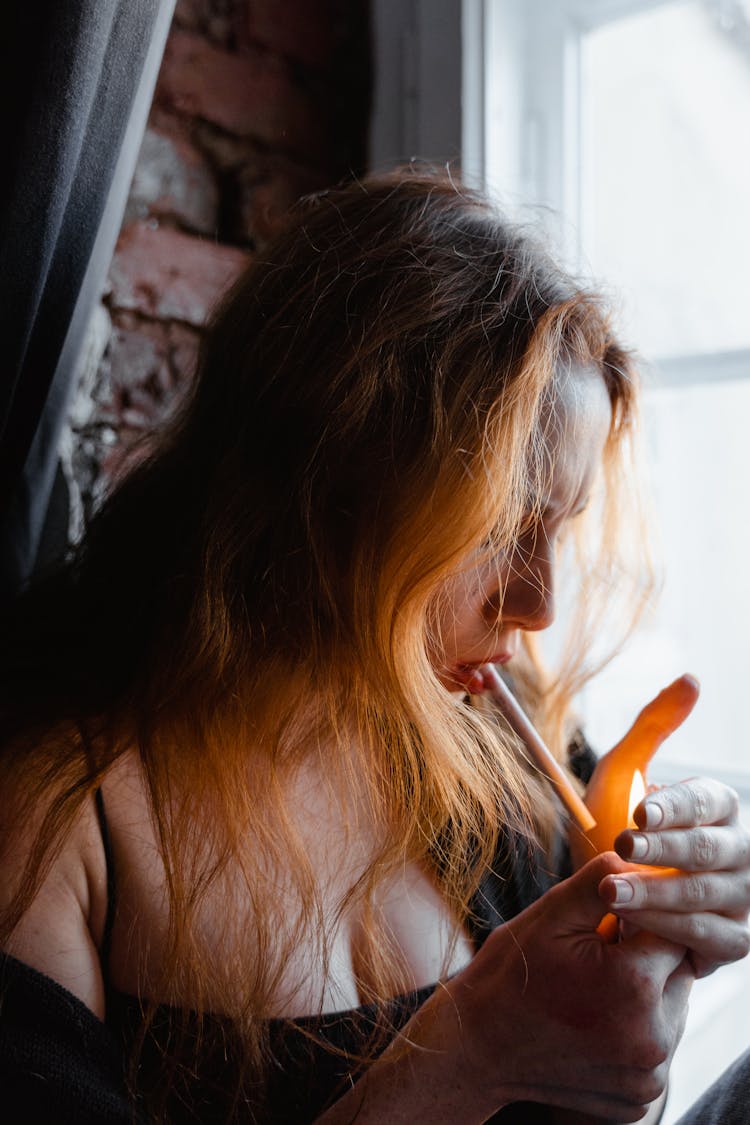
[(167, 275)]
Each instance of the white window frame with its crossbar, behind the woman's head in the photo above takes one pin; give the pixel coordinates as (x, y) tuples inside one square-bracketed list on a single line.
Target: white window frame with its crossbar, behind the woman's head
[(536, 114)]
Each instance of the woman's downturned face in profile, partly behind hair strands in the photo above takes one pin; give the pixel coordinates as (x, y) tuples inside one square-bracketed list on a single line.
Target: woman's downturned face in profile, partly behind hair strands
[(489, 606)]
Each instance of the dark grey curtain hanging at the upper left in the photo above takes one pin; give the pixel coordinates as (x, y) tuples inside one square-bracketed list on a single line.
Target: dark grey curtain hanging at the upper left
[(77, 79)]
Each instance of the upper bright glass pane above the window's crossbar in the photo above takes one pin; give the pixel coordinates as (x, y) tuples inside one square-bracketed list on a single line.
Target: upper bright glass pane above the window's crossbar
[(666, 178)]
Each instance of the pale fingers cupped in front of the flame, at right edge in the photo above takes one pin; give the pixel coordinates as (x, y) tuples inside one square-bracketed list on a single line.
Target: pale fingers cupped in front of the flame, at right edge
[(704, 905)]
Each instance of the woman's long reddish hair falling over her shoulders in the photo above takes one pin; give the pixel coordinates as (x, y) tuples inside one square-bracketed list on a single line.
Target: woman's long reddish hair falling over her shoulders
[(366, 413)]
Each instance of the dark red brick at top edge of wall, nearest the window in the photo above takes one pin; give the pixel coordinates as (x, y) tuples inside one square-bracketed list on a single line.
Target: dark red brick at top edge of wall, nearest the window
[(308, 31)]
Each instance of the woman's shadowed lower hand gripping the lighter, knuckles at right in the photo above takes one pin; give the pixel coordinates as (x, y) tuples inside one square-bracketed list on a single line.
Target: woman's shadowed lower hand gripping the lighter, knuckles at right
[(561, 1016)]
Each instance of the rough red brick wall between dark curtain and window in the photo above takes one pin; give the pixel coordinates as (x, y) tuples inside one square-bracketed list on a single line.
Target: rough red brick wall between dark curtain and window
[(258, 103)]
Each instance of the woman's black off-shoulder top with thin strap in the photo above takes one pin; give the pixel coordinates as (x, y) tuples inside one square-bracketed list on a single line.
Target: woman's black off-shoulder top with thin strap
[(59, 1064)]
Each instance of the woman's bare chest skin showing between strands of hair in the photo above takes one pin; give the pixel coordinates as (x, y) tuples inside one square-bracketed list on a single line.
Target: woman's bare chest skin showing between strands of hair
[(326, 949)]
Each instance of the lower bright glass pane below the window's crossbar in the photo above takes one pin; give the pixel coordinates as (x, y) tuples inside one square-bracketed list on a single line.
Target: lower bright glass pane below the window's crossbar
[(698, 442)]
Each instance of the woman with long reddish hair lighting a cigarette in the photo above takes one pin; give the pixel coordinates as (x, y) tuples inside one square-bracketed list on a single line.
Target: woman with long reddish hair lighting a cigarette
[(256, 803)]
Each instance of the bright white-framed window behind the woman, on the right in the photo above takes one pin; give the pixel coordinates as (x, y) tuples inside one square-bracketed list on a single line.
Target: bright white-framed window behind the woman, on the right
[(622, 127)]
